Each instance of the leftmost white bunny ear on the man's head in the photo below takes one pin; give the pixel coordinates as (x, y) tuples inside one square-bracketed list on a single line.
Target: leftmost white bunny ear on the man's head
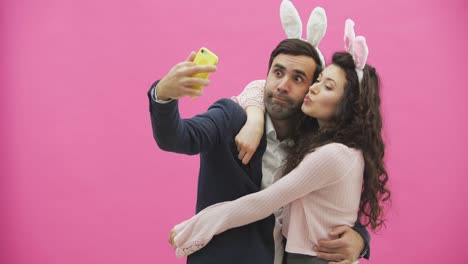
[(291, 20)]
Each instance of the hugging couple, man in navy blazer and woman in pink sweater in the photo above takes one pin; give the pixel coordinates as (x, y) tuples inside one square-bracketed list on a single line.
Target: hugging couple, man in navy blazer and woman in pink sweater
[(318, 171)]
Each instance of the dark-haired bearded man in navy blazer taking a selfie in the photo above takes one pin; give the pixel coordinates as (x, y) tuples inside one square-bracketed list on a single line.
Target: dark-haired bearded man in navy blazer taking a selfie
[(223, 177)]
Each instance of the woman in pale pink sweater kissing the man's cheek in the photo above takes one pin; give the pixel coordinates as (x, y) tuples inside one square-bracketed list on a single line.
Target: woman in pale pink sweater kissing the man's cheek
[(339, 141)]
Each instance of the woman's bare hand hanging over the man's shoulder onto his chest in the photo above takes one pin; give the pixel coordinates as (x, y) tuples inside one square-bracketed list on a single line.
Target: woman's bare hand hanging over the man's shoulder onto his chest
[(248, 138)]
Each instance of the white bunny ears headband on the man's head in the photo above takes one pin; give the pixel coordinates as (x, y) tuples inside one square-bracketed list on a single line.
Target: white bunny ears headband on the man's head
[(316, 27)]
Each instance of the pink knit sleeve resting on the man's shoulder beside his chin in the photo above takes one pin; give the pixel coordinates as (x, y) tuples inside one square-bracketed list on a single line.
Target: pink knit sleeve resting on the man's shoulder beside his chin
[(252, 95)]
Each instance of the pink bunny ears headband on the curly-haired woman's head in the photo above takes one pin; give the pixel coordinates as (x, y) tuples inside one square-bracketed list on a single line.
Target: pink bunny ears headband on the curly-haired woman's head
[(357, 47)]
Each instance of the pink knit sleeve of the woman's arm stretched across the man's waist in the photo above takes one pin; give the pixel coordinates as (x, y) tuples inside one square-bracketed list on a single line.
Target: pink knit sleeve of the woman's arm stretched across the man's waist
[(324, 166)]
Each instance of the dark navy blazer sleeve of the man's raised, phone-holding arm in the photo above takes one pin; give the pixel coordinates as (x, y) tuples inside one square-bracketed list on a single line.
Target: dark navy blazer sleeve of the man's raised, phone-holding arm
[(197, 134)]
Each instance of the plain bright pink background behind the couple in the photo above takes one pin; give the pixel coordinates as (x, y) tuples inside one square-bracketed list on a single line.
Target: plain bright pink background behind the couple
[(82, 180)]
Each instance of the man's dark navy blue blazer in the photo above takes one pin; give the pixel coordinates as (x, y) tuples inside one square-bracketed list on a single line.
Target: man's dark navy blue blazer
[(222, 176)]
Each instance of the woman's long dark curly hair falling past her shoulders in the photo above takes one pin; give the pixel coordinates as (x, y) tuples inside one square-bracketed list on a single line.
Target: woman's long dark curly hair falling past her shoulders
[(357, 124)]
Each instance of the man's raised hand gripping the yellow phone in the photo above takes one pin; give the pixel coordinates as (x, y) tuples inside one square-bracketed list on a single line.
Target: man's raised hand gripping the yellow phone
[(185, 79)]
